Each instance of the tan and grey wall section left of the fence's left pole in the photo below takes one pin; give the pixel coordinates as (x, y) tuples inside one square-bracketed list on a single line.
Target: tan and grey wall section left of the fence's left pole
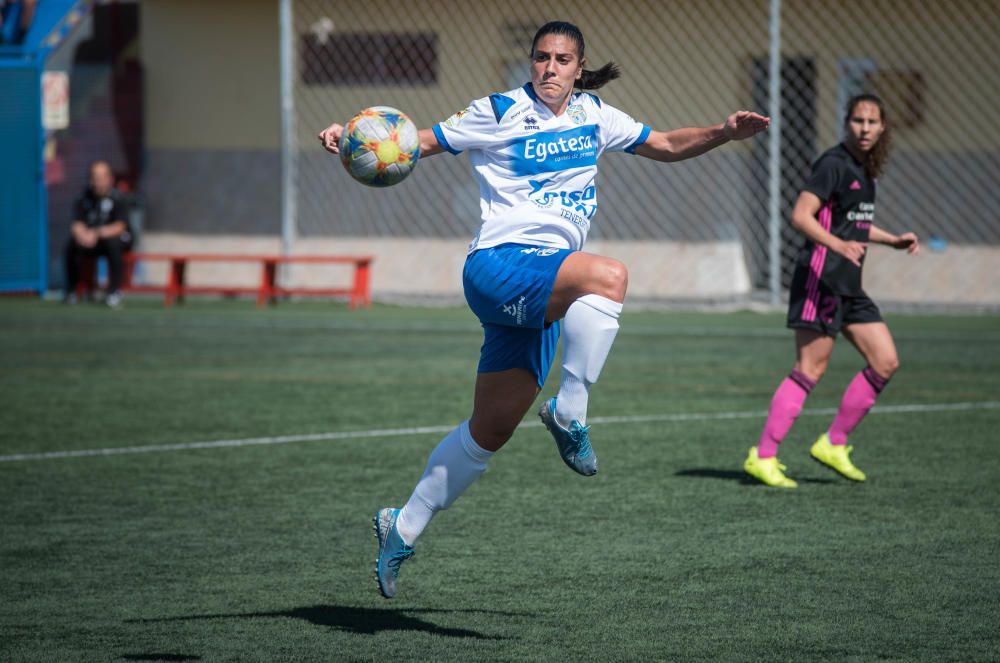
[(212, 116)]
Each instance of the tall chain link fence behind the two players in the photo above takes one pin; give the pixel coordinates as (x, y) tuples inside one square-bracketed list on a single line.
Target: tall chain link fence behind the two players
[(684, 63)]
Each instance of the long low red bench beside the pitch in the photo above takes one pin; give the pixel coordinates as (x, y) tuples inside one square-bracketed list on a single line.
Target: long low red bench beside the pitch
[(267, 290)]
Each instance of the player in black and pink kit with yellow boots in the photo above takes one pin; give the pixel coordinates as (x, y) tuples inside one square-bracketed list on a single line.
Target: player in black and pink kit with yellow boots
[(835, 211)]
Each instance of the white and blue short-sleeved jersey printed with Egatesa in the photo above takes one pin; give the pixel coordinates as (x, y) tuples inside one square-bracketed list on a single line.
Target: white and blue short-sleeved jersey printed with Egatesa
[(537, 172)]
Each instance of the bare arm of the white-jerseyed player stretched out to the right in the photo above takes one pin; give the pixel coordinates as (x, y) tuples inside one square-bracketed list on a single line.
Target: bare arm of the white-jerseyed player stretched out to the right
[(681, 144)]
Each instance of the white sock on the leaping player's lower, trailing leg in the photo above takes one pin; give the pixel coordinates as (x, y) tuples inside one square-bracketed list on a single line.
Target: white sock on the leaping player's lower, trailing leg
[(454, 464)]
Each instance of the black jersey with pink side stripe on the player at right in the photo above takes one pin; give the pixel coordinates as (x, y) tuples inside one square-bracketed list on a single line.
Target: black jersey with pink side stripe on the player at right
[(848, 210)]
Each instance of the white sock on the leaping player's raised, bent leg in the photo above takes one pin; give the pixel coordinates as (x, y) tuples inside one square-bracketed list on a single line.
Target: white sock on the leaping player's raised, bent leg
[(588, 330)]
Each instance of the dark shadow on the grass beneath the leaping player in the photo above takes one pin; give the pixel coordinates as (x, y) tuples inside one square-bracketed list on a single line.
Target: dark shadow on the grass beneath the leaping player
[(368, 621)]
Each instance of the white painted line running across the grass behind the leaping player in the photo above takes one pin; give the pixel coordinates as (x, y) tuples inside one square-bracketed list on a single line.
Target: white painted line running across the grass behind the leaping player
[(425, 430)]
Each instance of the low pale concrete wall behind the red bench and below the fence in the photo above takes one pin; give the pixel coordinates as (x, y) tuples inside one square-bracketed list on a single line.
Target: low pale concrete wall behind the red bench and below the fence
[(696, 271)]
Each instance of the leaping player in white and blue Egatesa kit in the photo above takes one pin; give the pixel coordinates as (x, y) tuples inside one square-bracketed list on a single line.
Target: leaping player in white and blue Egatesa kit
[(534, 153)]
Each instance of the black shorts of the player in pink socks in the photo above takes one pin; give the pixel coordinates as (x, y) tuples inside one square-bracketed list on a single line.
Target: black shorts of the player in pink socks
[(813, 305)]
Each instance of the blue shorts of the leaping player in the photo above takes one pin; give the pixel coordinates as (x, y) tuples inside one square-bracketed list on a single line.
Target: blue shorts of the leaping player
[(508, 288)]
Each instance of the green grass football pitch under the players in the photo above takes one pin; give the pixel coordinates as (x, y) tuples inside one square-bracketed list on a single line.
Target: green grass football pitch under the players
[(262, 552)]
